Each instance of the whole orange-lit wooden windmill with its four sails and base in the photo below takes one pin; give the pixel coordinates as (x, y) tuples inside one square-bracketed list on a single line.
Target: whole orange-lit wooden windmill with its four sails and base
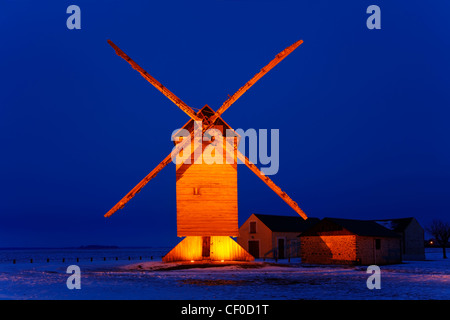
[(206, 192)]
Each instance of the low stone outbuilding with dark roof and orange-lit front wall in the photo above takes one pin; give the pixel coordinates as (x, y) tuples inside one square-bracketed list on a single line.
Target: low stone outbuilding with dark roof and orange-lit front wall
[(348, 241)]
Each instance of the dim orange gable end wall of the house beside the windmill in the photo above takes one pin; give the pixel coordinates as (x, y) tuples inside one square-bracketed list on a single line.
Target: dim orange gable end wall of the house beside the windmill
[(263, 235)]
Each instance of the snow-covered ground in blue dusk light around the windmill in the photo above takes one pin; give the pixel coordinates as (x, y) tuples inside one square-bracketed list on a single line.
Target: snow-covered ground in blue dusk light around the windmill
[(141, 279)]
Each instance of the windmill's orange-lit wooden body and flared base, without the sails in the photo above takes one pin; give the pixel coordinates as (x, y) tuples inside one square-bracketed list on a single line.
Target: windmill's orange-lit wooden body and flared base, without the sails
[(207, 208)]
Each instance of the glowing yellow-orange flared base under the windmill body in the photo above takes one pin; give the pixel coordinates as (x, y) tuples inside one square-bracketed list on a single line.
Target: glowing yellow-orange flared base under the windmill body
[(208, 248)]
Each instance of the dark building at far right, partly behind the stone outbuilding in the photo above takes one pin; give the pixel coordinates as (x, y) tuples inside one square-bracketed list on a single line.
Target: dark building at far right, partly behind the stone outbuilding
[(412, 233)]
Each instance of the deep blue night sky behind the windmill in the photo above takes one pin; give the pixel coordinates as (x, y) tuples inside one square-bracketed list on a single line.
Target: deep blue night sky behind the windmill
[(363, 114)]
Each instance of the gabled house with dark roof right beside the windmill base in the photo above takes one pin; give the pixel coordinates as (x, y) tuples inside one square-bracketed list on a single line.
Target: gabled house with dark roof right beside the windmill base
[(273, 236)]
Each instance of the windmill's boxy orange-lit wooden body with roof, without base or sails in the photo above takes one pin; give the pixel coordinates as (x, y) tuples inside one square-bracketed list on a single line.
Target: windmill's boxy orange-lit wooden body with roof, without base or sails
[(207, 188)]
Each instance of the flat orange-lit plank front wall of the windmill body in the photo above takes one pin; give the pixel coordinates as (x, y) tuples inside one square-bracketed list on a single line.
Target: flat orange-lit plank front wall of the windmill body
[(207, 199)]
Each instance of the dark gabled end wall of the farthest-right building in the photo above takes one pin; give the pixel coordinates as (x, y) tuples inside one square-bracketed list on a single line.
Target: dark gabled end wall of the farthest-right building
[(413, 242)]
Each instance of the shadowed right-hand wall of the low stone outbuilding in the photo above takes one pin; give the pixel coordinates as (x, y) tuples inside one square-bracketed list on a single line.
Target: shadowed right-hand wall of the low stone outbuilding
[(388, 253)]
